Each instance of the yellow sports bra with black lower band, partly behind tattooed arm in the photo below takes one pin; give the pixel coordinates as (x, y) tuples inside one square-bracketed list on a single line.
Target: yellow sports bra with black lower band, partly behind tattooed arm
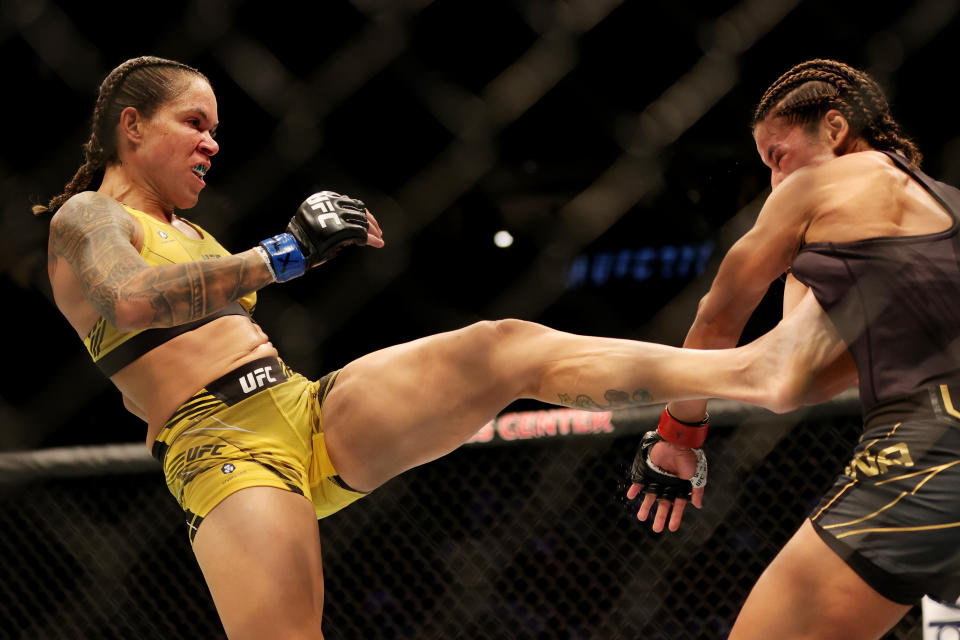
[(112, 349)]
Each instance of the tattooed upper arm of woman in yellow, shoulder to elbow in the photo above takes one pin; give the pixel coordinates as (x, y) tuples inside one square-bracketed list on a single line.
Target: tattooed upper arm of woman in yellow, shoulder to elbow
[(93, 233)]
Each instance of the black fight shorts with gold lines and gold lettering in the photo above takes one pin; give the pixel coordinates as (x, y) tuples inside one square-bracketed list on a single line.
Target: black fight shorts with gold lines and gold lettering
[(894, 514)]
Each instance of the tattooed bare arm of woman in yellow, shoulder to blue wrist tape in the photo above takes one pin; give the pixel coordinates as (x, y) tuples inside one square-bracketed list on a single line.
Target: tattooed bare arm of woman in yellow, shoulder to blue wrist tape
[(93, 233)]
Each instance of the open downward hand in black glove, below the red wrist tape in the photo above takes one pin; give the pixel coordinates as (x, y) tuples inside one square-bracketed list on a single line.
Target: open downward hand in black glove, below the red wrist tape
[(668, 475)]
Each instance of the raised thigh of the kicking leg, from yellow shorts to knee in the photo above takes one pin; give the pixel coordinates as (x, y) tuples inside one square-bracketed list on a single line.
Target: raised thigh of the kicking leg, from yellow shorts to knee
[(411, 403)]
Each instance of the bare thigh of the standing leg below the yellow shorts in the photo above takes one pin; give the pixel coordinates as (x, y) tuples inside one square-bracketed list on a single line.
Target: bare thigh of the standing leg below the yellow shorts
[(259, 551)]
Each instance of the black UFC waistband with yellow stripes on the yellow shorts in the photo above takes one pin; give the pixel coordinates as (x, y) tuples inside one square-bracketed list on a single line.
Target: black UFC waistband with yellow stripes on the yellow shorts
[(243, 382)]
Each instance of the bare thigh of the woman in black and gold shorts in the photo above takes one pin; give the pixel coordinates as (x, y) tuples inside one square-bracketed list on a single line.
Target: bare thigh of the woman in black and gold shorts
[(809, 592)]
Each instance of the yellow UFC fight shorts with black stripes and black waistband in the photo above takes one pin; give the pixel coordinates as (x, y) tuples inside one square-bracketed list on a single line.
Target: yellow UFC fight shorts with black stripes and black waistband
[(258, 426)]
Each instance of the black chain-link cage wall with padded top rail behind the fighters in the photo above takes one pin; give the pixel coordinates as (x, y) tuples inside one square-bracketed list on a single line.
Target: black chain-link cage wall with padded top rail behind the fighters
[(525, 534)]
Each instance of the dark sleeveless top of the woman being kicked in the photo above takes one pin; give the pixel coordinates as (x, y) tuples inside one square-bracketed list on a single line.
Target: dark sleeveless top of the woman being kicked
[(894, 300)]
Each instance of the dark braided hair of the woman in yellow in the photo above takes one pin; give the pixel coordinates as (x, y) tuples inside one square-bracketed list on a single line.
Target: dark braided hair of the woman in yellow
[(144, 83)]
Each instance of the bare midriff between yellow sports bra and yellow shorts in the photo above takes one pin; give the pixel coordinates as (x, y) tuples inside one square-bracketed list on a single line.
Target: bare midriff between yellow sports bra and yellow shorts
[(161, 380)]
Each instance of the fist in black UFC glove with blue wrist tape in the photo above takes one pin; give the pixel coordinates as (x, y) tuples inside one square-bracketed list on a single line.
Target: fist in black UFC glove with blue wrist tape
[(324, 224)]
